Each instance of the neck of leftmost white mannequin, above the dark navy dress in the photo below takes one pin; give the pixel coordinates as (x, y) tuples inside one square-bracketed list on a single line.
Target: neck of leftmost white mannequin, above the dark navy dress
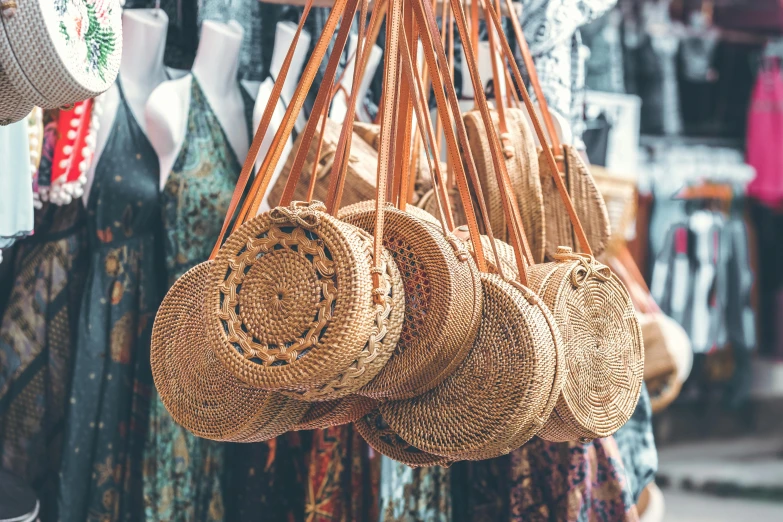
[(144, 31)]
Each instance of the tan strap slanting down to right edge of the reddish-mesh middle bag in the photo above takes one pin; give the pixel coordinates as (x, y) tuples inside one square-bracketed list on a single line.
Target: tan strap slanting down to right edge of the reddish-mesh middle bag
[(449, 109)]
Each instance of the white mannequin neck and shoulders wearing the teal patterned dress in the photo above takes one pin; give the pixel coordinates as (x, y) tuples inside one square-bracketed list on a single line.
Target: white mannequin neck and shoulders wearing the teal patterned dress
[(215, 69)]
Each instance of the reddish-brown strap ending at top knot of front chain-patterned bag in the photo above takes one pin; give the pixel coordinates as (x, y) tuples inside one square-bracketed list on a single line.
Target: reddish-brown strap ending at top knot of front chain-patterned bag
[(321, 100)]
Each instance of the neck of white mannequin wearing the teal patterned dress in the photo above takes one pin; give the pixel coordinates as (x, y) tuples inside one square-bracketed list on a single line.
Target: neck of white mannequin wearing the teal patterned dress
[(217, 57)]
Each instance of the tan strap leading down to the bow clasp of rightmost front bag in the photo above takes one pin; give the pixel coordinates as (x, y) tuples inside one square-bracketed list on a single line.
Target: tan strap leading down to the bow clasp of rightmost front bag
[(548, 156)]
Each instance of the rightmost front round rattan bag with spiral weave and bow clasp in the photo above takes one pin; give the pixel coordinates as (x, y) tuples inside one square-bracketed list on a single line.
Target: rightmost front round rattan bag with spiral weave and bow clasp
[(603, 346)]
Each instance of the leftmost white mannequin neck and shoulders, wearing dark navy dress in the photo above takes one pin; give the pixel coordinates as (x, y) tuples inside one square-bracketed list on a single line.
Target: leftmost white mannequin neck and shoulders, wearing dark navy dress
[(141, 71)]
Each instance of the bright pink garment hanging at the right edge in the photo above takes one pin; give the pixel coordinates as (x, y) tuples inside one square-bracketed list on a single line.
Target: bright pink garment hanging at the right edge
[(765, 136)]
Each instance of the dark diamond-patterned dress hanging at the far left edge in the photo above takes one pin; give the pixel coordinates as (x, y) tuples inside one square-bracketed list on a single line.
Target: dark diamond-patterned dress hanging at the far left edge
[(37, 335)]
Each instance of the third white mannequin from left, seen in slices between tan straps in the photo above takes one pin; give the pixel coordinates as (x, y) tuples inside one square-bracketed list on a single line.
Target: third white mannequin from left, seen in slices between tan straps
[(283, 40)]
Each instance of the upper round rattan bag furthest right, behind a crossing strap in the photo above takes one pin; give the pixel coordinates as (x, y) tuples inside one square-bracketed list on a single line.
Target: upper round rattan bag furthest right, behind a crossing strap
[(587, 200)]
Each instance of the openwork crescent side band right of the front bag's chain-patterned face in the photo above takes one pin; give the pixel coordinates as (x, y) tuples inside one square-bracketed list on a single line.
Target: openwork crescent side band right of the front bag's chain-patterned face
[(381, 343)]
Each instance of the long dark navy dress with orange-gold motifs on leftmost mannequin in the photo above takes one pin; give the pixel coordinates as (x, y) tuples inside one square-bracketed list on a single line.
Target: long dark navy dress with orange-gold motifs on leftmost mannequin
[(109, 402)]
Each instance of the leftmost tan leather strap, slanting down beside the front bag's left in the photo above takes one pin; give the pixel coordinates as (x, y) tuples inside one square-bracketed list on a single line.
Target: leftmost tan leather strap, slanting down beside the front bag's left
[(263, 126)]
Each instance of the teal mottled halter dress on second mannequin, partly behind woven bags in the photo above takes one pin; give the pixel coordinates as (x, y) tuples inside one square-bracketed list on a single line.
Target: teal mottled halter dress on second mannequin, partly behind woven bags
[(182, 472)]
